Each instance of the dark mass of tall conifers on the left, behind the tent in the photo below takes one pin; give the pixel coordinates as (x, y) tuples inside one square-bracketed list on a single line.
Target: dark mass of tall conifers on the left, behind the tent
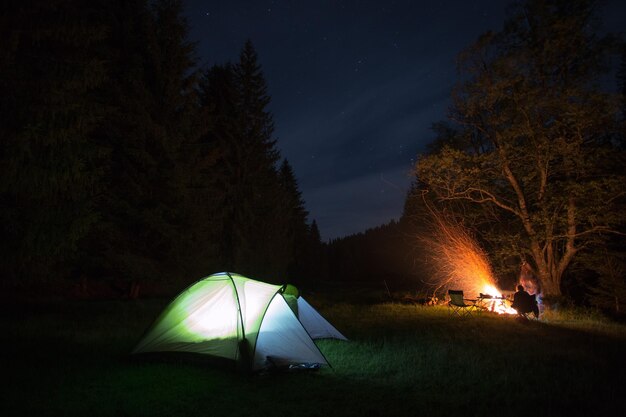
[(120, 159)]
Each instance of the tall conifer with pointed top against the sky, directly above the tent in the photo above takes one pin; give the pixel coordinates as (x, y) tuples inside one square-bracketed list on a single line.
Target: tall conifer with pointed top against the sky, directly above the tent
[(255, 225)]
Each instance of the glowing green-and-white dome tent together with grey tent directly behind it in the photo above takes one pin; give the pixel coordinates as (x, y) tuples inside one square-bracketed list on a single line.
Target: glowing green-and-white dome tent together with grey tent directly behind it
[(230, 316)]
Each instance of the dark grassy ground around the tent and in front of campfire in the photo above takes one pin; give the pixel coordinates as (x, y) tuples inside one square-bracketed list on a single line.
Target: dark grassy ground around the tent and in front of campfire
[(71, 358)]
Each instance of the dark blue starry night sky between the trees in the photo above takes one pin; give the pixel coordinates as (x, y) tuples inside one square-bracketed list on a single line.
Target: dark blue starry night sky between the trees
[(355, 87)]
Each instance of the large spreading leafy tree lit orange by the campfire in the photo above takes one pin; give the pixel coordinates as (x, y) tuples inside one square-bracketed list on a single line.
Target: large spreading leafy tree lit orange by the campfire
[(535, 146)]
